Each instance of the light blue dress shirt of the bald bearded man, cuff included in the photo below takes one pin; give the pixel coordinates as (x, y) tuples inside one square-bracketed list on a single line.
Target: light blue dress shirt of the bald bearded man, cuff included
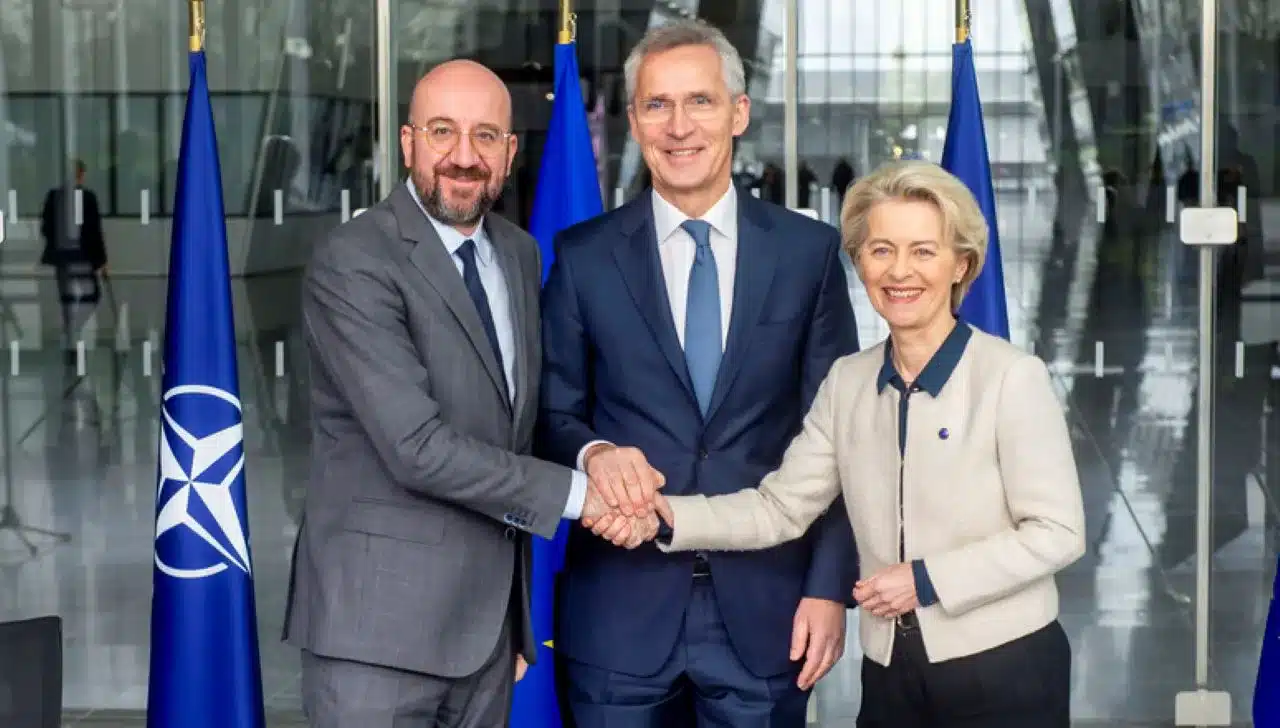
[(500, 304)]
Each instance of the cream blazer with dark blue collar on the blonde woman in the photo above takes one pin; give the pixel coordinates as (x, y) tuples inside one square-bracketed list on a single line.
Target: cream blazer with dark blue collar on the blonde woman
[(993, 506)]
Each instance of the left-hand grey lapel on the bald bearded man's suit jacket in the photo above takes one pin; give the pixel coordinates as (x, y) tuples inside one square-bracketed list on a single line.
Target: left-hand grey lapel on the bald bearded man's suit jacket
[(437, 267)]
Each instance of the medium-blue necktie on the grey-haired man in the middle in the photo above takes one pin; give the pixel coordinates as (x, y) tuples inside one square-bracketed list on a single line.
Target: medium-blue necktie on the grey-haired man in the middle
[(703, 349)]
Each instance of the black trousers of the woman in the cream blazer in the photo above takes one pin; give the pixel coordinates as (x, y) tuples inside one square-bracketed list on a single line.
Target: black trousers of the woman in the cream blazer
[(1022, 684)]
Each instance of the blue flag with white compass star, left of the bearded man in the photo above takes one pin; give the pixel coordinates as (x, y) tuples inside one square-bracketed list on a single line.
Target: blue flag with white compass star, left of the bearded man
[(205, 671)]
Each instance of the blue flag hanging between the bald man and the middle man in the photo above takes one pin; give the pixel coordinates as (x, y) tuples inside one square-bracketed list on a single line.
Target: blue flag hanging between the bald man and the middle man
[(569, 193)]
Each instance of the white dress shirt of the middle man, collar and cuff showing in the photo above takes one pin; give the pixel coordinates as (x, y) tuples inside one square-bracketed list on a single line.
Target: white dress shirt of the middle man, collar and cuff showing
[(676, 250)]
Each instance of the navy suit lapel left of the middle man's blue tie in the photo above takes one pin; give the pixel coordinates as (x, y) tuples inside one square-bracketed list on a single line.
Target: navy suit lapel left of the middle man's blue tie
[(642, 272)]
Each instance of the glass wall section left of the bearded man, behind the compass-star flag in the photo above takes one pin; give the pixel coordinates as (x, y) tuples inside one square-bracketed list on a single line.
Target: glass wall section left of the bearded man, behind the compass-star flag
[(102, 85)]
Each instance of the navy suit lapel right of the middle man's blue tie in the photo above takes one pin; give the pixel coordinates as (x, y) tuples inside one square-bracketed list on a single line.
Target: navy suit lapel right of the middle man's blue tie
[(757, 260)]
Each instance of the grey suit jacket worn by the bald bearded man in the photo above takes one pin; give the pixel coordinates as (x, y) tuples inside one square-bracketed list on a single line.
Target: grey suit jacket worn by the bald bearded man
[(422, 495)]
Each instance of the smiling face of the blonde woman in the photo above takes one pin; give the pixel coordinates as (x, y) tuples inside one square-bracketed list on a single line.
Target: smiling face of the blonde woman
[(909, 265)]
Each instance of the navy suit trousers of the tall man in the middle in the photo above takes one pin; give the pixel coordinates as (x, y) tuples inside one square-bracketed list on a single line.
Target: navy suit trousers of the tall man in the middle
[(703, 684)]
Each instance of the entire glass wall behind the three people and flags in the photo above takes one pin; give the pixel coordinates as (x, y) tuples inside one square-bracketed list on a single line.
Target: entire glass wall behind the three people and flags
[(1094, 126)]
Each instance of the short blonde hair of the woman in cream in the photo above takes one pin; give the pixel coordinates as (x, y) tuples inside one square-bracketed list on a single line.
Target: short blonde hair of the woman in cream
[(963, 222)]
